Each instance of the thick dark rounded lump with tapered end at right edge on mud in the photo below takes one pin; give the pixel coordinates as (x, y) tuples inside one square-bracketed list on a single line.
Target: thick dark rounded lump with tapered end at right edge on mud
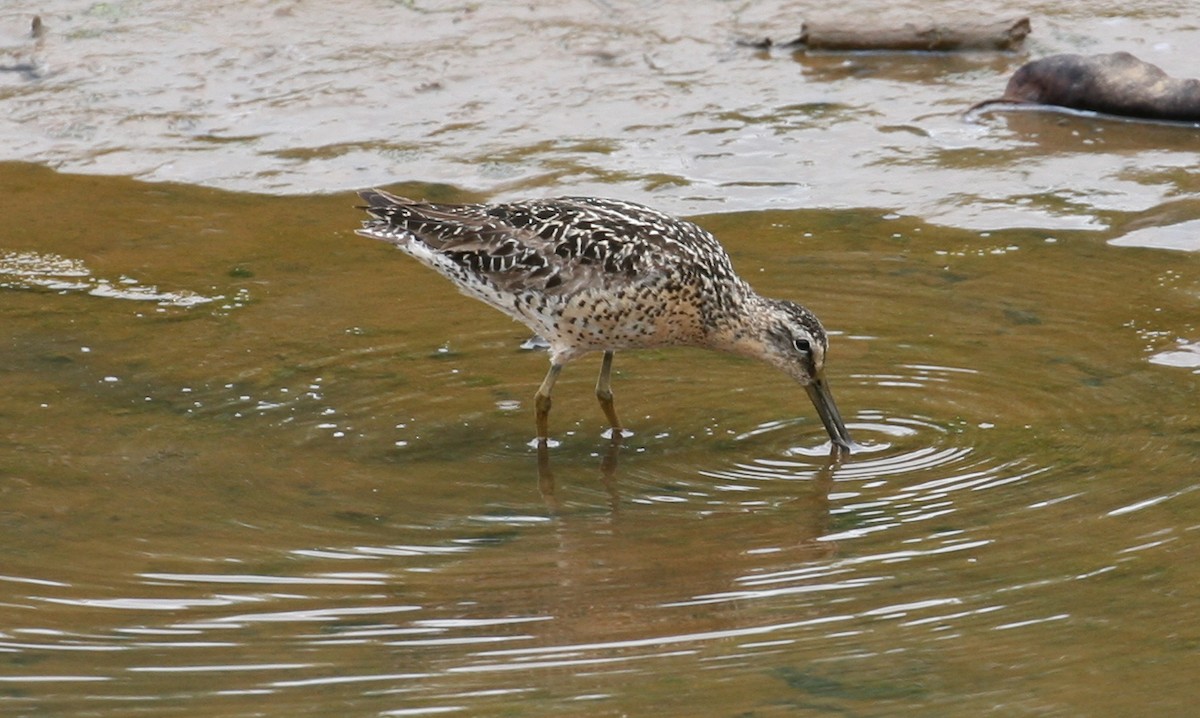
[(1118, 85)]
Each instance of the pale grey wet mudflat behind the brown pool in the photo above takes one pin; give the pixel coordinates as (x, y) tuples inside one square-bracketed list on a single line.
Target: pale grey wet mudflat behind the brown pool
[(649, 101)]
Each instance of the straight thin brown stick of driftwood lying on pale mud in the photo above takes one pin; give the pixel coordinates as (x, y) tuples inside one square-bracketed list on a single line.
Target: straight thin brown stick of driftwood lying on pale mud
[(927, 35)]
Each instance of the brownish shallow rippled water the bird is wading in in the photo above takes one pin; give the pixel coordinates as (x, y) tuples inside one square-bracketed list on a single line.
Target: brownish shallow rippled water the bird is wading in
[(309, 486)]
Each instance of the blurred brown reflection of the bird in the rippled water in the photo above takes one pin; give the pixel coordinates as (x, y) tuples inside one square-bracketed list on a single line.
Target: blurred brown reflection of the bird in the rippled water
[(647, 569)]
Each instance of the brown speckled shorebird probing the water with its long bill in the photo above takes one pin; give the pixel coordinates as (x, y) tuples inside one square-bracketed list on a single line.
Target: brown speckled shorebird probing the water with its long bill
[(601, 276)]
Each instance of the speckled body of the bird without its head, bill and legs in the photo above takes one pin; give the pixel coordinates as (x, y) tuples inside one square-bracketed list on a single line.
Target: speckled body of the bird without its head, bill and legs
[(585, 273)]
